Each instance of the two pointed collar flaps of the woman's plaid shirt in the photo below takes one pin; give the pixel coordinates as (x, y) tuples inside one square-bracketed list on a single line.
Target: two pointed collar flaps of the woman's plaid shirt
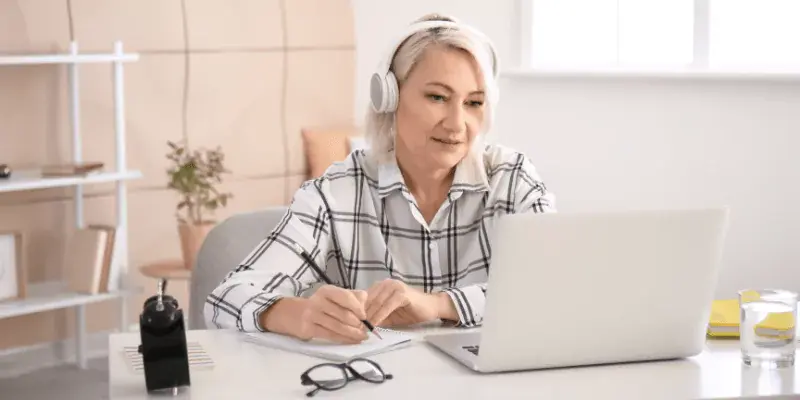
[(470, 176)]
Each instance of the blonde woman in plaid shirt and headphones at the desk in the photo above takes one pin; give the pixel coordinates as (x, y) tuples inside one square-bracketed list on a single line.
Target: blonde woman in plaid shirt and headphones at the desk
[(401, 228)]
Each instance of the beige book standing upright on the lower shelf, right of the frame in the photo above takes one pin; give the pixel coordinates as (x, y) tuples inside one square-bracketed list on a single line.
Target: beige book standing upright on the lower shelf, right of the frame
[(89, 259)]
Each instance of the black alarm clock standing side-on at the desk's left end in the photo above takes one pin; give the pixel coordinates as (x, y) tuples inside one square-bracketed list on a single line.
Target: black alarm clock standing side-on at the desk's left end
[(163, 333)]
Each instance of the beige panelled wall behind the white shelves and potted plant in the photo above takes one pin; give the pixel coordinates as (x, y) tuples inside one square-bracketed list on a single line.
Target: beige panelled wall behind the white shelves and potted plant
[(244, 74)]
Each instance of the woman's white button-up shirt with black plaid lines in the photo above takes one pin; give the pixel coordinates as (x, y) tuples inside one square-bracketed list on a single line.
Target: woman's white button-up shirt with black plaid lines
[(361, 224)]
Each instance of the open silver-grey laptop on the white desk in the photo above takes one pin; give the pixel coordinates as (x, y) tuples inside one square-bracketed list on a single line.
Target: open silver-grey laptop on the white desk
[(578, 289)]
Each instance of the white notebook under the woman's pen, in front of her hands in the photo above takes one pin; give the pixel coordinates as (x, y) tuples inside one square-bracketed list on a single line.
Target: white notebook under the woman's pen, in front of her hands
[(331, 351)]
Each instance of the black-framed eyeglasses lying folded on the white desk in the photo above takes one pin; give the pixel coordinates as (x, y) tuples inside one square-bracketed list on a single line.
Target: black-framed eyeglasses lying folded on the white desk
[(331, 376)]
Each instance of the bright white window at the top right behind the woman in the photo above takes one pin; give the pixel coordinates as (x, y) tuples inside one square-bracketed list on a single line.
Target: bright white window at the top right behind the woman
[(701, 34)]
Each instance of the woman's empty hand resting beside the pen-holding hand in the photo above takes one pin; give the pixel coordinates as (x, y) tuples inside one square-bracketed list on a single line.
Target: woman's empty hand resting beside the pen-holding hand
[(393, 303)]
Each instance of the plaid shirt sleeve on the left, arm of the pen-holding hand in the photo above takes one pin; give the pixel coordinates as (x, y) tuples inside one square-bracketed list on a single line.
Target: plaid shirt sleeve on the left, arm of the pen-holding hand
[(273, 270)]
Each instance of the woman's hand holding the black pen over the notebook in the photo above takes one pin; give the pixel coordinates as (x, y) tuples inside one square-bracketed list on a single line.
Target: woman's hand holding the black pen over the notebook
[(331, 313)]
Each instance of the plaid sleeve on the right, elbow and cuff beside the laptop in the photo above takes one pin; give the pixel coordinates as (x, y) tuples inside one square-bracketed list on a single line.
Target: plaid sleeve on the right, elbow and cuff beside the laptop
[(529, 194)]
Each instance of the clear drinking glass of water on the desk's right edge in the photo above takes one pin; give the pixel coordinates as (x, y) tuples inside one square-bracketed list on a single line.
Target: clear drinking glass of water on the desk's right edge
[(767, 327)]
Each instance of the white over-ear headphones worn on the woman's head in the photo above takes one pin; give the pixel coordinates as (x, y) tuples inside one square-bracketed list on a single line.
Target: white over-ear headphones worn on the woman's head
[(384, 91)]
